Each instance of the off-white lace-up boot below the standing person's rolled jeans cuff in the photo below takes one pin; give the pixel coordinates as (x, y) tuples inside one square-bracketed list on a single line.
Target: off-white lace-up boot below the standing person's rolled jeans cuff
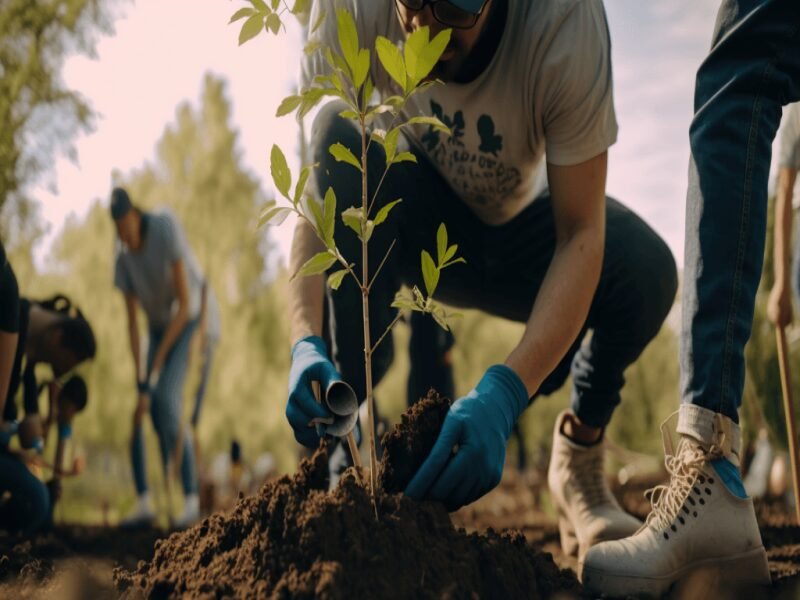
[(698, 534)]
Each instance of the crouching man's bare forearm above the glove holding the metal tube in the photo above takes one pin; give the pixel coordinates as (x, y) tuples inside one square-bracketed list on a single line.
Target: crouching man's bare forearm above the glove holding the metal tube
[(306, 294)]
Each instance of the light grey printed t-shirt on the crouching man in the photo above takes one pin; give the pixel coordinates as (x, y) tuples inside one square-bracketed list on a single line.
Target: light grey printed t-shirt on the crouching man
[(548, 90)]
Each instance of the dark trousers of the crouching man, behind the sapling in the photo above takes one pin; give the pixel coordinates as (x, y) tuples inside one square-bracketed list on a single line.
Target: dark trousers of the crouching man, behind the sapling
[(502, 276)]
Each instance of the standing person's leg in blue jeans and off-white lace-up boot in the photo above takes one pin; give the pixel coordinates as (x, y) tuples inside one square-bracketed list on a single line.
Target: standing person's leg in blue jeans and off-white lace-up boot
[(703, 517)]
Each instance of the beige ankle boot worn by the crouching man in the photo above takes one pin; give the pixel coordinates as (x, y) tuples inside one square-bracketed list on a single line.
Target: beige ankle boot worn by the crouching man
[(588, 512)]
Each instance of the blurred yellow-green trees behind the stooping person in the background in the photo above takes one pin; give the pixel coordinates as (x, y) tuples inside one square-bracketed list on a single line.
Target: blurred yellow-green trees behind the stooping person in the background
[(198, 175)]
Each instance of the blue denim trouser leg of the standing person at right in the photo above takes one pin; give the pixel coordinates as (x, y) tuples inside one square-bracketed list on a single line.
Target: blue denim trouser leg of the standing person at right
[(753, 70)]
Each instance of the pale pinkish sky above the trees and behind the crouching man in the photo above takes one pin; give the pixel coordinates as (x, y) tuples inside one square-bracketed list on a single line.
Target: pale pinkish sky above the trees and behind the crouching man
[(162, 49)]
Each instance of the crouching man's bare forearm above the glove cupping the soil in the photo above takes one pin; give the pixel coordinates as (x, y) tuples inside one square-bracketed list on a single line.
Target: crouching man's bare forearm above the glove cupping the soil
[(561, 307)]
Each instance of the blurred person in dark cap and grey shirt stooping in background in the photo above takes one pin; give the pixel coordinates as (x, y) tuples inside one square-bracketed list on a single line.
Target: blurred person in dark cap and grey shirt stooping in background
[(156, 269)]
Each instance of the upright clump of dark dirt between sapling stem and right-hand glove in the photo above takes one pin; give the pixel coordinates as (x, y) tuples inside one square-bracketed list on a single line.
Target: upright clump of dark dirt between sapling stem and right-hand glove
[(407, 446)]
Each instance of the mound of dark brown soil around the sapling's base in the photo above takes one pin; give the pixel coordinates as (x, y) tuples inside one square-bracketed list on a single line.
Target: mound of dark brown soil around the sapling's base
[(296, 539)]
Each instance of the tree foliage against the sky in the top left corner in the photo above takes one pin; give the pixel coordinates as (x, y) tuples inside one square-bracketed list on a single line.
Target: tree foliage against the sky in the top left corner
[(40, 116)]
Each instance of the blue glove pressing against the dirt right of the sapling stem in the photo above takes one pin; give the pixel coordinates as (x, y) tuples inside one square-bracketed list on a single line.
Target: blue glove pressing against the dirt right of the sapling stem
[(480, 424)]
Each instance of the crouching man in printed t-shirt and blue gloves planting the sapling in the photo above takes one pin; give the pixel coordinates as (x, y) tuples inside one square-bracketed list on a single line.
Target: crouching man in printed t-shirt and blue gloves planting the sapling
[(520, 184)]
